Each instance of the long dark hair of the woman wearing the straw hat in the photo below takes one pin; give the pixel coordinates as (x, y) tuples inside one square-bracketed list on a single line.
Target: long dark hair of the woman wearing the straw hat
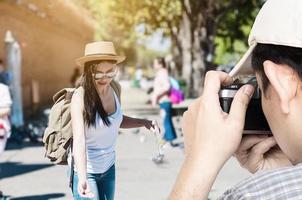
[(92, 101)]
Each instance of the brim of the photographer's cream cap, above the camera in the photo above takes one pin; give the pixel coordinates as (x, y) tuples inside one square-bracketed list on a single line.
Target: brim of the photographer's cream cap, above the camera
[(244, 66)]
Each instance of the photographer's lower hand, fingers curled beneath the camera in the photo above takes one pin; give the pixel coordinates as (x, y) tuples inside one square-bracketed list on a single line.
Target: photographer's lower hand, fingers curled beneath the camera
[(258, 152)]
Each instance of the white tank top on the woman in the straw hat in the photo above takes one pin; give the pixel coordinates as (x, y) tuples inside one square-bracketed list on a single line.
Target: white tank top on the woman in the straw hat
[(101, 141)]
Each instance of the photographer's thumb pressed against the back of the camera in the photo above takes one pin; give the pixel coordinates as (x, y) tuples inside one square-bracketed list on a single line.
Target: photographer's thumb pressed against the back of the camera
[(240, 103)]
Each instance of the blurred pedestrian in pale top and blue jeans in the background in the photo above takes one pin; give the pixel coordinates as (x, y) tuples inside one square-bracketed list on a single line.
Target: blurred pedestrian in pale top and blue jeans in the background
[(161, 96)]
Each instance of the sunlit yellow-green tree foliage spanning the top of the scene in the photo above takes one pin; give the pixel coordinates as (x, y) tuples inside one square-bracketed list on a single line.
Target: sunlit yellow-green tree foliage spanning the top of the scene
[(117, 20)]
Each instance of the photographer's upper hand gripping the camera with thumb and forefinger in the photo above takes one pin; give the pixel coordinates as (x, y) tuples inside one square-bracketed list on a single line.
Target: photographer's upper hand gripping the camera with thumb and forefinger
[(207, 129)]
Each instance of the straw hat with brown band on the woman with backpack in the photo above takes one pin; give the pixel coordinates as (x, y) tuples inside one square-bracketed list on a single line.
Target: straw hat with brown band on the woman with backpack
[(102, 50)]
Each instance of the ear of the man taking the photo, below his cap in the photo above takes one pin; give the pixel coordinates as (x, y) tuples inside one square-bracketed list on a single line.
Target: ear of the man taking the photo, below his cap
[(284, 81)]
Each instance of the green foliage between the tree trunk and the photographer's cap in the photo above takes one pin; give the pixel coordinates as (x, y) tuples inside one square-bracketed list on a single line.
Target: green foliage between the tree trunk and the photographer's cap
[(234, 25)]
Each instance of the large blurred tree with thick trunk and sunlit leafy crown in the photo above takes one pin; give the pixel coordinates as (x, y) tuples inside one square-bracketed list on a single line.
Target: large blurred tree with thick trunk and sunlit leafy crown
[(192, 26)]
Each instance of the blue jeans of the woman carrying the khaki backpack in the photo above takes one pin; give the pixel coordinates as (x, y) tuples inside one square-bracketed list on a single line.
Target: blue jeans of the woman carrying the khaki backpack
[(101, 185)]
